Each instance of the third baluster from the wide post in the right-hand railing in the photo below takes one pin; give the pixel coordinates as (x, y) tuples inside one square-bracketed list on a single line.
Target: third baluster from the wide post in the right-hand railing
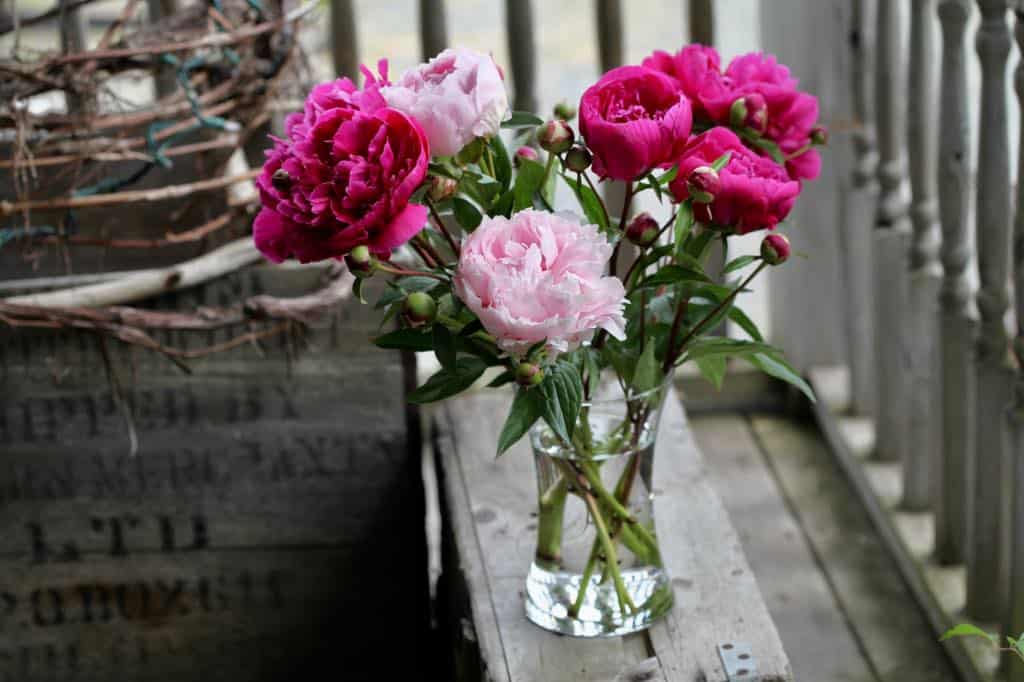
[(923, 313)]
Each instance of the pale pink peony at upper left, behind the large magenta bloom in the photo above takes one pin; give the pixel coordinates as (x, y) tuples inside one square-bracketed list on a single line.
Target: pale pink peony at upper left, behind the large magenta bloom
[(457, 97)]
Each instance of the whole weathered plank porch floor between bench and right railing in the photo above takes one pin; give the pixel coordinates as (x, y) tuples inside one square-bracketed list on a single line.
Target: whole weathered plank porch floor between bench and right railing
[(836, 595)]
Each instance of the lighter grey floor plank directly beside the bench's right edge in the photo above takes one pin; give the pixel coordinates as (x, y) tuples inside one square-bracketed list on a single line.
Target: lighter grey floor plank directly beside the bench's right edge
[(810, 621)]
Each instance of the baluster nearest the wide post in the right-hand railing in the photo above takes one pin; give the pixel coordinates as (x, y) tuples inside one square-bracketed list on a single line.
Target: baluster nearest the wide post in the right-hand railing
[(859, 238)]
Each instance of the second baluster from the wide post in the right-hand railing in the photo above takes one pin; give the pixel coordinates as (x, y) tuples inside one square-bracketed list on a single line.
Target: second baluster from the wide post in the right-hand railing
[(891, 240)]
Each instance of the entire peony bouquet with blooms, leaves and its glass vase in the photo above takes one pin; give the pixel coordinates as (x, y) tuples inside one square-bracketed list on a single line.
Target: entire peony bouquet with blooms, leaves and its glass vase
[(413, 180)]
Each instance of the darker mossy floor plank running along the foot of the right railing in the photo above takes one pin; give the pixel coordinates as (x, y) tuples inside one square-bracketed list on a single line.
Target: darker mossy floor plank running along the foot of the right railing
[(895, 636)]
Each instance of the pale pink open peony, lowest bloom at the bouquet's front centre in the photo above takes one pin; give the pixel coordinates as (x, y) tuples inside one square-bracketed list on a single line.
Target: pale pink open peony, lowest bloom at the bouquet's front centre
[(539, 277)]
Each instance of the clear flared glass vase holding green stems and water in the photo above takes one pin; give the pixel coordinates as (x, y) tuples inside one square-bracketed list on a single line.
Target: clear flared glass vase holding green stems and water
[(598, 571)]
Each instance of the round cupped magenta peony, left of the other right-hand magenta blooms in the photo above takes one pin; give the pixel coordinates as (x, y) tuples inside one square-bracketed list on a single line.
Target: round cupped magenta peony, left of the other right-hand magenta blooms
[(634, 120)]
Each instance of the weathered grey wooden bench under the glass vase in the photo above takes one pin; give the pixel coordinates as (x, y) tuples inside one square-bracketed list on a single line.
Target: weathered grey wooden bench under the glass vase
[(719, 630)]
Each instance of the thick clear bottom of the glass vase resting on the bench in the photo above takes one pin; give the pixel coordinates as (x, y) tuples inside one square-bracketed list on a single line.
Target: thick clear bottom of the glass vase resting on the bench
[(550, 595)]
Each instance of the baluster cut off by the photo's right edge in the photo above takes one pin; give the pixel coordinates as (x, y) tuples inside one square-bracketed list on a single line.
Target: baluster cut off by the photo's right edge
[(1015, 615)]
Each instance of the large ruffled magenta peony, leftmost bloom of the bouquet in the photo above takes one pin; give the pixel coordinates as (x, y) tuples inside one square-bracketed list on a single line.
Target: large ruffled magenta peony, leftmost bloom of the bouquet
[(343, 179)]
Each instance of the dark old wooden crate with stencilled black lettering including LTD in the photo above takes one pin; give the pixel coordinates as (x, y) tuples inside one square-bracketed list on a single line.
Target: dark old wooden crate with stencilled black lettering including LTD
[(271, 523)]
